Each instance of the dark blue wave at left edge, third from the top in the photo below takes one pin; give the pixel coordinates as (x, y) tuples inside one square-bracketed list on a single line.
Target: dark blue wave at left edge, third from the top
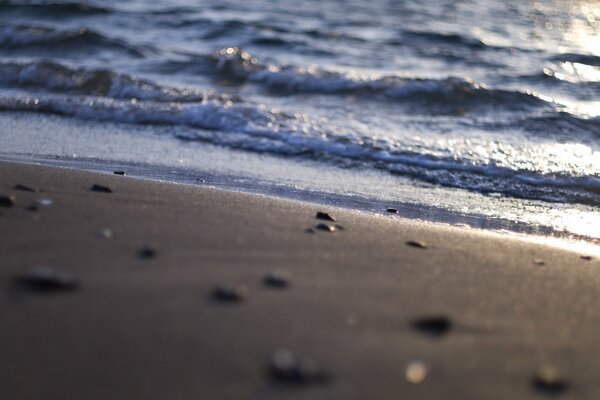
[(57, 78)]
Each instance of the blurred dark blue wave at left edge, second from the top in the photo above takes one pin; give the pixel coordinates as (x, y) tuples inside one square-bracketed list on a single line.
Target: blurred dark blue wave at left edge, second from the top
[(51, 40)]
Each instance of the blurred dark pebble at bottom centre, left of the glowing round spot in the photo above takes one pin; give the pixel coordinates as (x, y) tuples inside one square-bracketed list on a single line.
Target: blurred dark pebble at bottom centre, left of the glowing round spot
[(287, 368)]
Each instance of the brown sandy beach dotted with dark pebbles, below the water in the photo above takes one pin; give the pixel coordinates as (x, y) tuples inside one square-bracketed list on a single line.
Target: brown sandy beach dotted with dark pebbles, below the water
[(163, 291)]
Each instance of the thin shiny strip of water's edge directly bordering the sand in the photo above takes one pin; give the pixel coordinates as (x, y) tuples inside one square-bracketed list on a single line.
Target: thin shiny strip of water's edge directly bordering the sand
[(415, 212)]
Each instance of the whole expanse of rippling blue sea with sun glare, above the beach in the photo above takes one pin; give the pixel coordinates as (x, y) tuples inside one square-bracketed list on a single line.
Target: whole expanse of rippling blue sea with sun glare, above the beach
[(495, 101)]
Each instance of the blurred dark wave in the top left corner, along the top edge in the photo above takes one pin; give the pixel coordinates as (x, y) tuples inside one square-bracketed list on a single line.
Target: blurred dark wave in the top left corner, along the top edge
[(53, 9)]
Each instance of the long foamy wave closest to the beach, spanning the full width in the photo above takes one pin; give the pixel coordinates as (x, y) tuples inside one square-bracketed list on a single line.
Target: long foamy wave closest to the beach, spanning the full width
[(255, 128)]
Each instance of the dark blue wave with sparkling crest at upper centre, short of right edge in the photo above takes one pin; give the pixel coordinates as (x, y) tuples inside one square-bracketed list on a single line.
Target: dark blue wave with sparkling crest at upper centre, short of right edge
[(238, 64)]
